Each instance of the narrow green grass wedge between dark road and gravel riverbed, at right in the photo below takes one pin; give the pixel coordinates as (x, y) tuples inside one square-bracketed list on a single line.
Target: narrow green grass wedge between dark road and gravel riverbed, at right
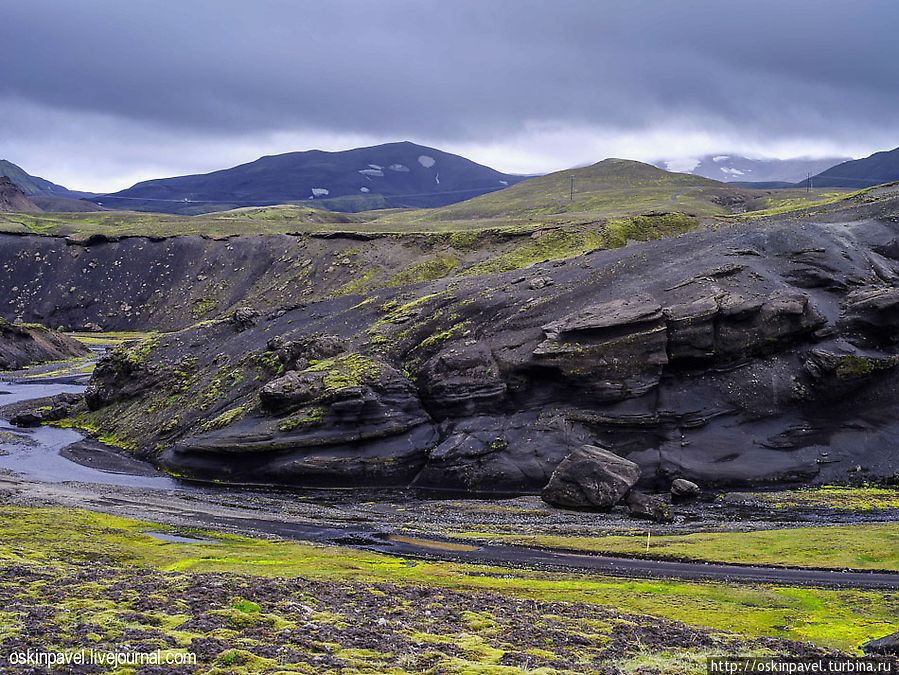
[(860, 546)]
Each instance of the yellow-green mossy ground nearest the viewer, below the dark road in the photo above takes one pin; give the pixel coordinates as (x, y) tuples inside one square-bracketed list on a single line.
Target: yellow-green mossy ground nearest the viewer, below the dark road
[(73, 578)]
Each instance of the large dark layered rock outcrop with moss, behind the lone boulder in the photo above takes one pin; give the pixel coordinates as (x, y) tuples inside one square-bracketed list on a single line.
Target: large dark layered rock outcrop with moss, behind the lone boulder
[(758, 353)]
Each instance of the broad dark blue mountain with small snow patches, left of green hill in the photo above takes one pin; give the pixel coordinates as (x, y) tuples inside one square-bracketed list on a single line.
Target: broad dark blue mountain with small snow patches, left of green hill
[(382, 176)]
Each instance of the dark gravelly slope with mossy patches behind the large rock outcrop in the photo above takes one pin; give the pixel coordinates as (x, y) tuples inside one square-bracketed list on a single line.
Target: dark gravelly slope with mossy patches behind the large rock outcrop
[(163, 284)]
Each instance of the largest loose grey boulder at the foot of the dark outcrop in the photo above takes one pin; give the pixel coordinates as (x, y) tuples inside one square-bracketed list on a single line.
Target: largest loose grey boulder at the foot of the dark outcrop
[(591, 477)]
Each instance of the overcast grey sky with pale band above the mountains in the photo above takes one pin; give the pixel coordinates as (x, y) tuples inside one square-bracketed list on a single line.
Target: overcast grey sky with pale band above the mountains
[(98, 94)]
